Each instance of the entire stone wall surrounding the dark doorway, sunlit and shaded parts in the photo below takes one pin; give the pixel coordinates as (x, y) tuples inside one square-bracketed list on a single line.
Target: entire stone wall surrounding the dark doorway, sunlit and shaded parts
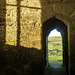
[(21, 24)]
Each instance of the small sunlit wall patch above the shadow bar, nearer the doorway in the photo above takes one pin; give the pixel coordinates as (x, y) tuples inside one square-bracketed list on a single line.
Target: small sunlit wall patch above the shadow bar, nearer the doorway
[(31, 3)]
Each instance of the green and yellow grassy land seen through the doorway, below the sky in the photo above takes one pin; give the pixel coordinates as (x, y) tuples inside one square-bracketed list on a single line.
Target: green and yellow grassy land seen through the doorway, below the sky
[(55, 48)]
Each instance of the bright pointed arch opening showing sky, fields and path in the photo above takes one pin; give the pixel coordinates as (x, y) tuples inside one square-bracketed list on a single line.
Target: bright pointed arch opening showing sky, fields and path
[(55, 49)]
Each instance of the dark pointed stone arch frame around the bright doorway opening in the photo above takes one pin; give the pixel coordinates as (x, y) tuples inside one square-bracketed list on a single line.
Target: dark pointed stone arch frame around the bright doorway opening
[(49, 25)]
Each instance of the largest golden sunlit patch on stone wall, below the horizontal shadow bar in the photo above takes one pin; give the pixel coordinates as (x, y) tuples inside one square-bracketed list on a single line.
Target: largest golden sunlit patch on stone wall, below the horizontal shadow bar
[(30, 35)]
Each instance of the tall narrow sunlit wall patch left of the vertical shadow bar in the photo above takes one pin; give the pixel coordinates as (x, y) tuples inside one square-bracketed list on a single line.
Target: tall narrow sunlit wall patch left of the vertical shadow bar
[(11, 25)]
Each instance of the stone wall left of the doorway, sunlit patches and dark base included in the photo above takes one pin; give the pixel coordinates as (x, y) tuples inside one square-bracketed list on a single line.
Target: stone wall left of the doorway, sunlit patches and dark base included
[(20, 37)]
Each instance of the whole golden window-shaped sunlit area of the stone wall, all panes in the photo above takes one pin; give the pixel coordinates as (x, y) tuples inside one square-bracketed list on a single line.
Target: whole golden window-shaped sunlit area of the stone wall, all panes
[(30, 23)]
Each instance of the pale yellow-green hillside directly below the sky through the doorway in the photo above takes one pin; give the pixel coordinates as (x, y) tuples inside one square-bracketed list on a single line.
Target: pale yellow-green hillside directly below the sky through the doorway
[(55, 43)]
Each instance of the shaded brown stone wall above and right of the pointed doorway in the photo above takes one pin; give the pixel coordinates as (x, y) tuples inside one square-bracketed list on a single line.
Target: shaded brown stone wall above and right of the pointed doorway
[(63, 10)]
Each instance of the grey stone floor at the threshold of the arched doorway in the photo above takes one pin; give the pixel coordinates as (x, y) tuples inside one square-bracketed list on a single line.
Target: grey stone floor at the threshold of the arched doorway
[(55, 69)]
